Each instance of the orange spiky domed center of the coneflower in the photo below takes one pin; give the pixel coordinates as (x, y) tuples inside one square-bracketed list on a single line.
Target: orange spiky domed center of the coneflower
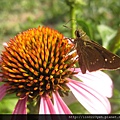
[(36, 62)]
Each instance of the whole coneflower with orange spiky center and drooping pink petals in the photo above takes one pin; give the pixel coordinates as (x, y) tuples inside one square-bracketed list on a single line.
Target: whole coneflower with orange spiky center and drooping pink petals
[(36, 65)]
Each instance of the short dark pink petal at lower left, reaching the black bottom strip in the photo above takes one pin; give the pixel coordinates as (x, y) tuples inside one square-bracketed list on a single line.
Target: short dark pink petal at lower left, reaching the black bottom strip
[(21, 106)]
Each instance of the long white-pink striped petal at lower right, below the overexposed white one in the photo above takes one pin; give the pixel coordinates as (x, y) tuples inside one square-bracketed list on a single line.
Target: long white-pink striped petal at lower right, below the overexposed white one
[(92, 100)]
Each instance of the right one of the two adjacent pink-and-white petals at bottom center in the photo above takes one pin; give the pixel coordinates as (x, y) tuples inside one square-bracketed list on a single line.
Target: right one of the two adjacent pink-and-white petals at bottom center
[(60, 106)]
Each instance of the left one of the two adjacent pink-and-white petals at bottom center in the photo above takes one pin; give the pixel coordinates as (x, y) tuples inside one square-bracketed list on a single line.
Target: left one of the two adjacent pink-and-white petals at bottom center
[(46, 106)]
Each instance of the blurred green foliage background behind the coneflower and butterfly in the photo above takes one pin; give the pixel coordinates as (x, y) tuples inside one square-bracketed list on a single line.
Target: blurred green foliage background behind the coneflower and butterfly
[(100, 19)]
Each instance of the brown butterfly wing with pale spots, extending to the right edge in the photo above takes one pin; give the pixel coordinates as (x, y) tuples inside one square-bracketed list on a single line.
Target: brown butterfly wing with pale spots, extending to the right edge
[(95, 57)]
